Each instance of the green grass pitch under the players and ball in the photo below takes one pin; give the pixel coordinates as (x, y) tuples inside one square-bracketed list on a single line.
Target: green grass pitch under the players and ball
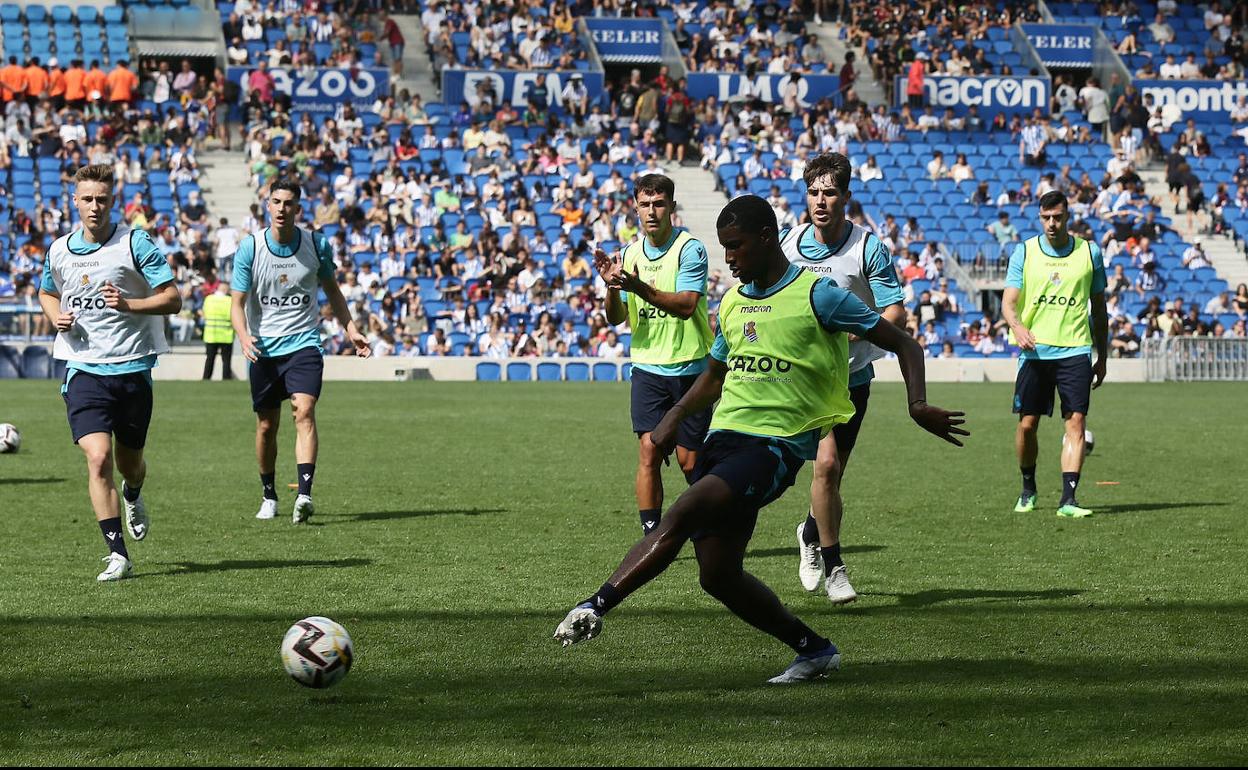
[(457, 524)]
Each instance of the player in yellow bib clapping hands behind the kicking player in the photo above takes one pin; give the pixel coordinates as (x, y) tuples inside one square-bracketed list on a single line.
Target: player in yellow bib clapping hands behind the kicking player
[(661, 290)]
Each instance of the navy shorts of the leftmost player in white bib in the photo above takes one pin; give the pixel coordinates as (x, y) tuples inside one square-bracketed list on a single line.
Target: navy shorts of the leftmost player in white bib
[(120, 405)]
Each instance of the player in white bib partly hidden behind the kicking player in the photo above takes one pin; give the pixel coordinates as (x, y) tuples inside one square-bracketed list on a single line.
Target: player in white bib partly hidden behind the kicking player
[(857, 260)]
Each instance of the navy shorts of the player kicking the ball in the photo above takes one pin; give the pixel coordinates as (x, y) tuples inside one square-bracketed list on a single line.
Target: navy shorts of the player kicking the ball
[(756, 469)]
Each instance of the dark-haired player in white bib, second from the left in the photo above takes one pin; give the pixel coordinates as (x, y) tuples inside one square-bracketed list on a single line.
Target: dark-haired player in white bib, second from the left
[(275, 283)]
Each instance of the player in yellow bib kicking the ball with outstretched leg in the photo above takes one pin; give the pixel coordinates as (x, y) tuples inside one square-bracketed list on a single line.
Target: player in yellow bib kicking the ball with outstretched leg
[(781, 373)]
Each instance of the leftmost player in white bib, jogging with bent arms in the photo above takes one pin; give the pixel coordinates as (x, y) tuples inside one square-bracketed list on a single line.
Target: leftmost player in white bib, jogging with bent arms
[(105, 288)]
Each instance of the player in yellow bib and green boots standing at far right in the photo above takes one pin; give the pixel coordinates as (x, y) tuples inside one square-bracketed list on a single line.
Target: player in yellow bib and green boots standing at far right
[(1053, 281)]
